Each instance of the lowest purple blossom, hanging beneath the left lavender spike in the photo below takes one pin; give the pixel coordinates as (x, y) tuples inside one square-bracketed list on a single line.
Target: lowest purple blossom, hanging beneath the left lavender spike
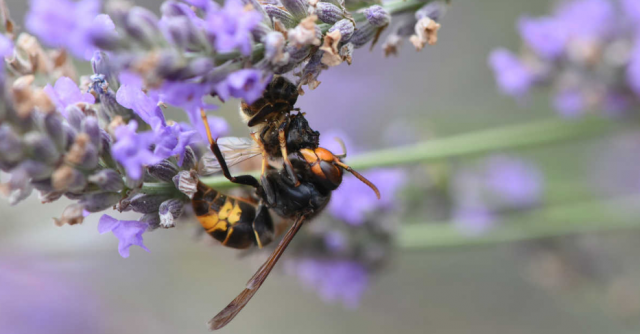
[(129, 232)]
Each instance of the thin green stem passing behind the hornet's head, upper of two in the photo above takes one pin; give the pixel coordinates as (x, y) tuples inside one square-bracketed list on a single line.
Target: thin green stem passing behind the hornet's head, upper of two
[(504, 138)]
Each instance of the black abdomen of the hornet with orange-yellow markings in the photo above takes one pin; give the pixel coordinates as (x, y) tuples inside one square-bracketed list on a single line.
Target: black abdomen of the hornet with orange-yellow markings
[(233, 221)]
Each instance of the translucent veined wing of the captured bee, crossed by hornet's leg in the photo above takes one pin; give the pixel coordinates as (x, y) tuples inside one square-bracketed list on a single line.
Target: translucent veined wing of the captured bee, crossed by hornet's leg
[(235, 151)]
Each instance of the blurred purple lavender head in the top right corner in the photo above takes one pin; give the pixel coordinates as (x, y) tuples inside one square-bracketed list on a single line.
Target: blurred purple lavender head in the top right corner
[(582, 61)]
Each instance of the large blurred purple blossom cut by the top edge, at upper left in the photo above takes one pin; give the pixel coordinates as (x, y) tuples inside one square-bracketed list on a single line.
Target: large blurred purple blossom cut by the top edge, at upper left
[(67, 24)]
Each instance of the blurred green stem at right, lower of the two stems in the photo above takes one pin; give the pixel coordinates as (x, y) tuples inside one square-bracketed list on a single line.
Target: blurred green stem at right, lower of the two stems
[(555, 221)]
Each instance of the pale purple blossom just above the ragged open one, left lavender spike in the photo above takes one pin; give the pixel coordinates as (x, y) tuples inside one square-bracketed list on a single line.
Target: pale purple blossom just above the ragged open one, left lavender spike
[(130, 95)]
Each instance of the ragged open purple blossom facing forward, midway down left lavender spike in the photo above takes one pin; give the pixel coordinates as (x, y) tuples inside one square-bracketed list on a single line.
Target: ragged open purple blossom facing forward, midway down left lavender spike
[(133, 150)]
